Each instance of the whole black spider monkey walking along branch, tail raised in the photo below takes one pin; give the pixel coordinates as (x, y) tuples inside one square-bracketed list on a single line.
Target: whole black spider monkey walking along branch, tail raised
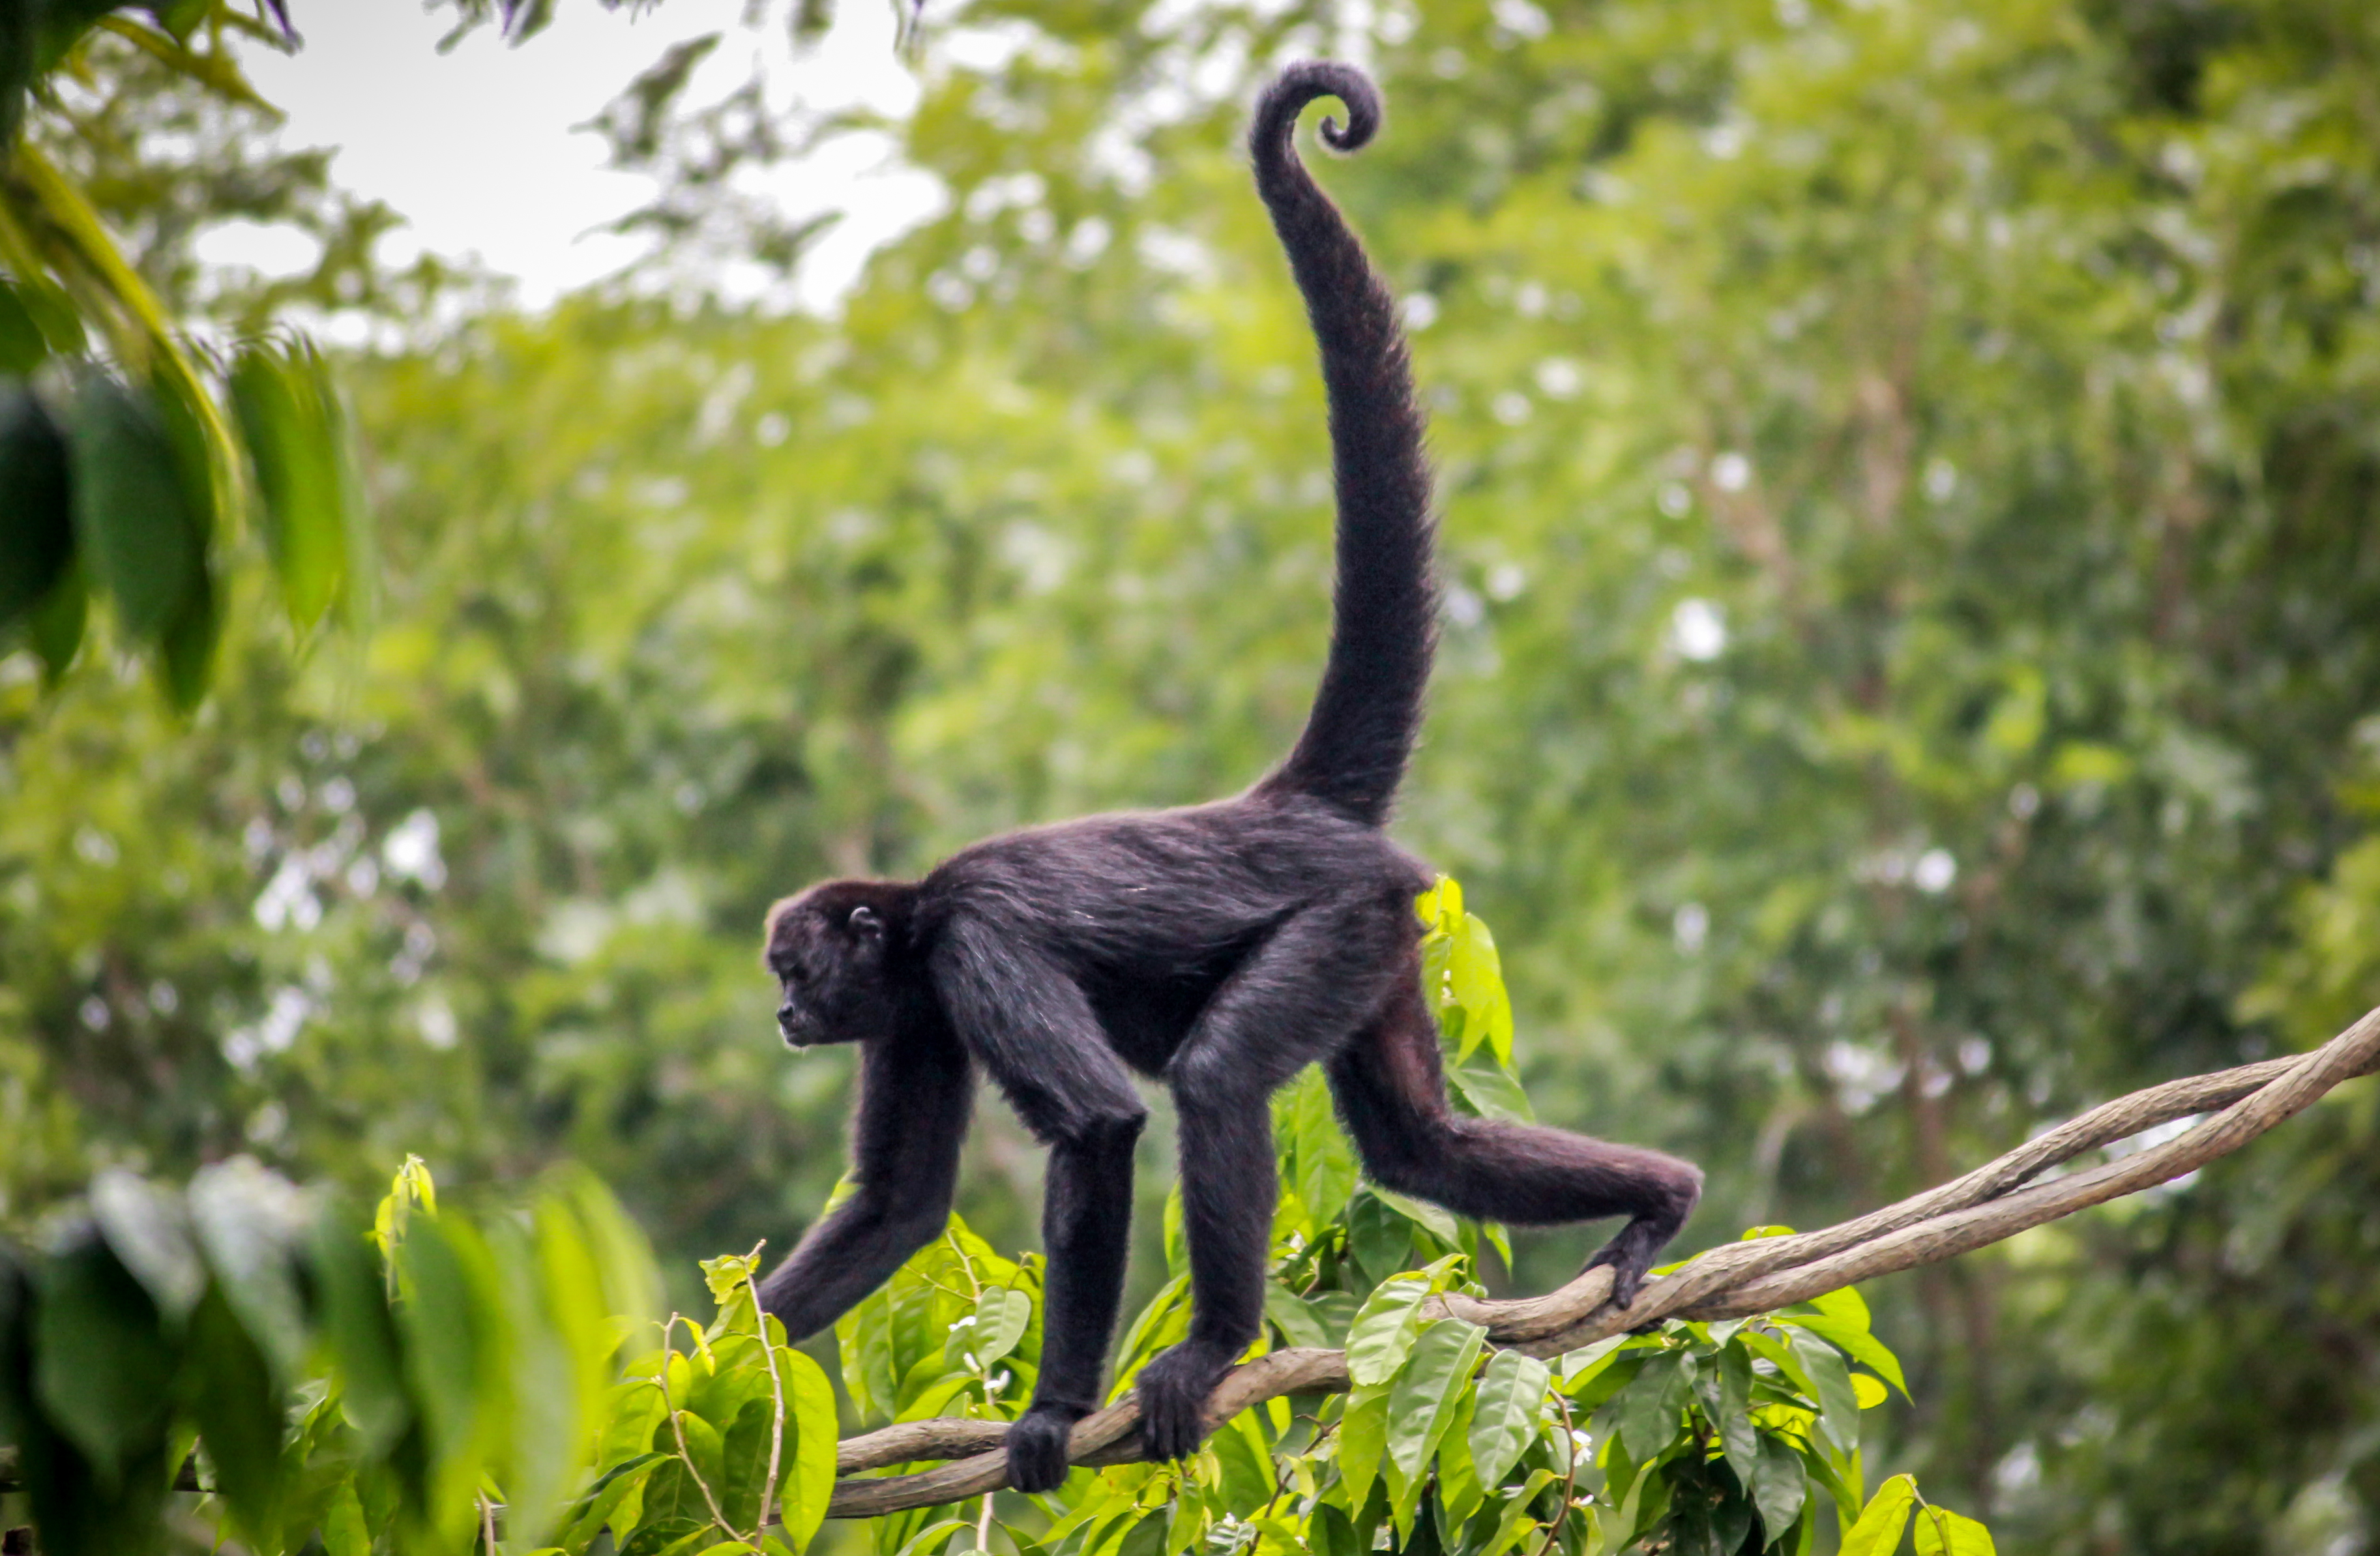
[(1217, 948)]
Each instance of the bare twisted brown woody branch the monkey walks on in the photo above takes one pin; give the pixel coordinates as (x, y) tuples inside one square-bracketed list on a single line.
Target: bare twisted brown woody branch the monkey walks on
[(1988, 1205)]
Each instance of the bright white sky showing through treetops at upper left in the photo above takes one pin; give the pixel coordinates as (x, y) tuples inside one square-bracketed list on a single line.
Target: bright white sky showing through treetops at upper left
[(480, 153)]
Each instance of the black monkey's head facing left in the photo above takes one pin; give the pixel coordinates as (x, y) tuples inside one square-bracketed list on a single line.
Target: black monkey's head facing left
[(834, 953)]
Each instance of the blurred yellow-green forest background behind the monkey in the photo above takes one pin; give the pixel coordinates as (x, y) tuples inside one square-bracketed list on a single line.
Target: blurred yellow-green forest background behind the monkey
[(1912, 534)]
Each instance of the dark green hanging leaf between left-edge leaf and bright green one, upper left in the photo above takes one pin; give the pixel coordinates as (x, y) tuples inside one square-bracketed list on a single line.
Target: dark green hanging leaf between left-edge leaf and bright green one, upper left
[(132, 513)]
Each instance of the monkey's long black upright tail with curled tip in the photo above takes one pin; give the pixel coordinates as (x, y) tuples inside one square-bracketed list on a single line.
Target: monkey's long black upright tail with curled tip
[(1367, 710)]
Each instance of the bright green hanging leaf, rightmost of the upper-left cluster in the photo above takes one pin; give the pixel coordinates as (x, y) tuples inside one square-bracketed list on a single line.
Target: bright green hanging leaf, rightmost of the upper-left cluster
[(296, 439)]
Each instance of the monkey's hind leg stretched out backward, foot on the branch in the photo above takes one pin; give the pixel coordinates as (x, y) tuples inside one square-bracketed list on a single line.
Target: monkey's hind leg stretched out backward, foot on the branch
[(1393, 1098)]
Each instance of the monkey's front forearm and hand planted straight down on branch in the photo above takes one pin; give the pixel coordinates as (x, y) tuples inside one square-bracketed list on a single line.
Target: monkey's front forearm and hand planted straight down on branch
[(1086, 1229)]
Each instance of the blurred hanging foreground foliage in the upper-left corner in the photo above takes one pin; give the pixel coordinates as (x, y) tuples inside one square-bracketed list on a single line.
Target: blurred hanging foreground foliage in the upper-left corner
[(158, 470)]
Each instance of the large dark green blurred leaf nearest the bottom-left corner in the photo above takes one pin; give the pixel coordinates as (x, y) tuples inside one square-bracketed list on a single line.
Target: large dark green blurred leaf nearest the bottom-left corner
[(101, 1360)]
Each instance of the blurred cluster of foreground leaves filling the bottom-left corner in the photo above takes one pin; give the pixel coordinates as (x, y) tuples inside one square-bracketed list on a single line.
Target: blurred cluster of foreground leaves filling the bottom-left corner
[(339, 1386)]
